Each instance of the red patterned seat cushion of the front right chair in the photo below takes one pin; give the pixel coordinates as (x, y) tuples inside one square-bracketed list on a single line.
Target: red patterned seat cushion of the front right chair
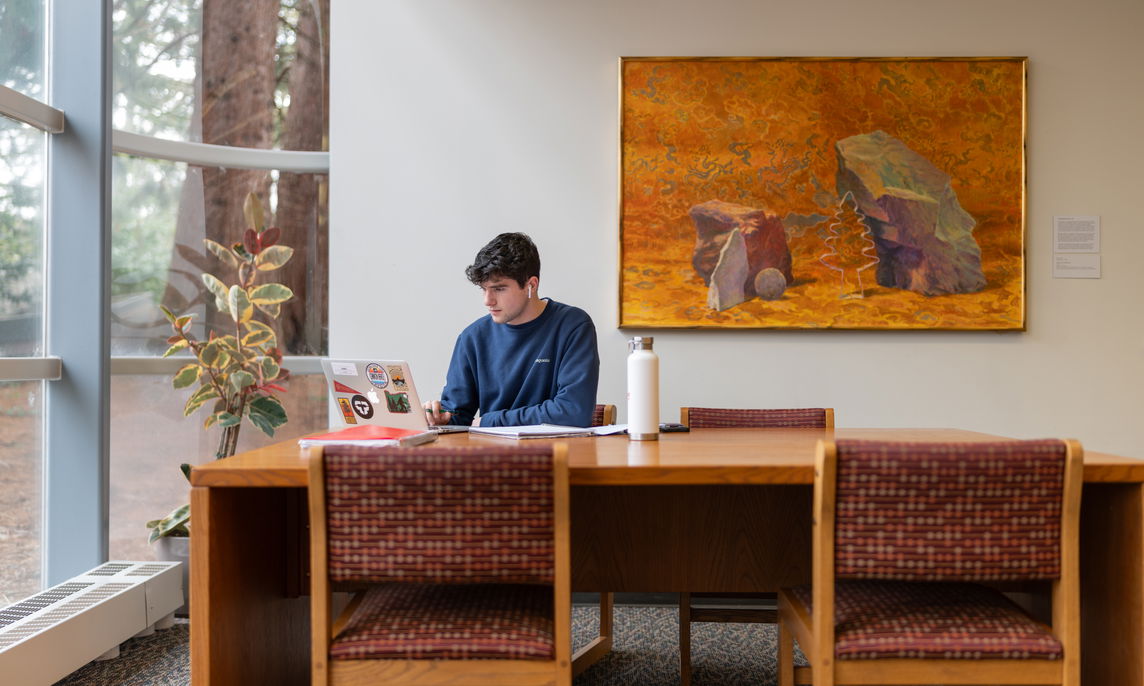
[(950, 621)]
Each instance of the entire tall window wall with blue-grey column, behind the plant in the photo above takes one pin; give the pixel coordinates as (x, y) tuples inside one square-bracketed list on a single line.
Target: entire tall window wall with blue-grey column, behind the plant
[(210, 100)]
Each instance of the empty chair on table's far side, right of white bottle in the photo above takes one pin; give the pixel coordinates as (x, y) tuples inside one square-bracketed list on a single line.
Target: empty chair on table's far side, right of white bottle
[(737, 608)]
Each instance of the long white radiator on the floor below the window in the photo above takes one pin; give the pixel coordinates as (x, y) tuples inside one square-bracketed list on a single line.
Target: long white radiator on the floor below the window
[(60, 631)]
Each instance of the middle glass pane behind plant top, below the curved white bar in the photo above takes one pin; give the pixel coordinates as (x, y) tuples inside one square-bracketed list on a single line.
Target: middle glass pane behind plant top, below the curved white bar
[(161, 214)]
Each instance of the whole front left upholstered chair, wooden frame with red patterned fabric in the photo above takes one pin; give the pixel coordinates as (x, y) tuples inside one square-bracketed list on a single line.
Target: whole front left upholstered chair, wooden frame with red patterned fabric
[(460, 559)]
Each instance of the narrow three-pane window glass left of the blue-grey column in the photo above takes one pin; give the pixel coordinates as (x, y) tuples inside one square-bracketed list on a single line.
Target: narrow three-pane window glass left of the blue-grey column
[(23, 155)]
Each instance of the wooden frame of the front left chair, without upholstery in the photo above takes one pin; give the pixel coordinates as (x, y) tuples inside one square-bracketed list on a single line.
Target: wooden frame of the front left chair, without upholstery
[(460, 673)]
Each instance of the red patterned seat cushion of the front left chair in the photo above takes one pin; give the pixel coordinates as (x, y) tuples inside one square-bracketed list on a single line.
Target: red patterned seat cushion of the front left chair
[(412, 621)]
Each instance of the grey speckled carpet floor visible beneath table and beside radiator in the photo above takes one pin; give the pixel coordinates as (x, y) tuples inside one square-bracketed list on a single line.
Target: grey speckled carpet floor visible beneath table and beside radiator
[(646, 655)]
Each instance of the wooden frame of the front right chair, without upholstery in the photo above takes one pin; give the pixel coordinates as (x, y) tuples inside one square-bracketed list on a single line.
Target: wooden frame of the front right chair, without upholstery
[(815, 631)]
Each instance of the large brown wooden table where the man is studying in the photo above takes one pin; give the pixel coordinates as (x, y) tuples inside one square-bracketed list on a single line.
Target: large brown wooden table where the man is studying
[(711, 510)]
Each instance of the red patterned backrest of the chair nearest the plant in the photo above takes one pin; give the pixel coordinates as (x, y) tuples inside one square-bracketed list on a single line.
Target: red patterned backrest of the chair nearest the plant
[(433, 515)]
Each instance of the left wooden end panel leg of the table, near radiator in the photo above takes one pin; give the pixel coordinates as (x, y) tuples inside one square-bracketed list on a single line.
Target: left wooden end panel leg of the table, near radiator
[(247, 628)]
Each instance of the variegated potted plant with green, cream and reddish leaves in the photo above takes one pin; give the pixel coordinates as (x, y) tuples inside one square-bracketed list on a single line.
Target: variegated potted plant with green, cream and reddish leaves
[(236, 371)]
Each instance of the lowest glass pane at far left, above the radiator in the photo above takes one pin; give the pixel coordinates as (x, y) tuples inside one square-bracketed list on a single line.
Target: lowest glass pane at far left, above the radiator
[(21, 460)]
